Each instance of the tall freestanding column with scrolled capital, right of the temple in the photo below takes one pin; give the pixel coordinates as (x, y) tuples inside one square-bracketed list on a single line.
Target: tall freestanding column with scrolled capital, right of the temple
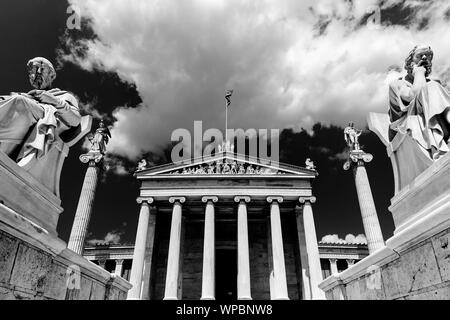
[(369, 215)]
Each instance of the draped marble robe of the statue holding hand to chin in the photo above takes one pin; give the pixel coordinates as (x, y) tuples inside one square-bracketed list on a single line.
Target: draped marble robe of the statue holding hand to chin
[(422, 116)]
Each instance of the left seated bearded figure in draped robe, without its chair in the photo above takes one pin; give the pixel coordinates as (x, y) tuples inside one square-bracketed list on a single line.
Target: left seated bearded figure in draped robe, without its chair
[(30, 122)]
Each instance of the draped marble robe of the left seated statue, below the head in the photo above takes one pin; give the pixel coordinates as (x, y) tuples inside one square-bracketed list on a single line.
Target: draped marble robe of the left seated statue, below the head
[(23, 117)]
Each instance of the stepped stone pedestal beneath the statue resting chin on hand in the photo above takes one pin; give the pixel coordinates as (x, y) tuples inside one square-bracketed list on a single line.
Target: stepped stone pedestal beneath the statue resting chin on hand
[(415, 263)]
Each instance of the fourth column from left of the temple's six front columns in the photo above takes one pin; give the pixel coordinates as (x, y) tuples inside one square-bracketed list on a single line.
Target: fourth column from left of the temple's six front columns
[(243, 281)]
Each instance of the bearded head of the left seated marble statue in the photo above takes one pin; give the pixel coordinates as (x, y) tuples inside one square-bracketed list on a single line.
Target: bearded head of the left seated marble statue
[(41, 73)]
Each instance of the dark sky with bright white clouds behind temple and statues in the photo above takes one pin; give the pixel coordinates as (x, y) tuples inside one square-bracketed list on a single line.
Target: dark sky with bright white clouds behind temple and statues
[(149, 67)]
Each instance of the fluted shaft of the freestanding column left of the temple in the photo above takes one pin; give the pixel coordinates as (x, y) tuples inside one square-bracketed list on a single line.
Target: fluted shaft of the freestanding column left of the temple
[(84, 209)]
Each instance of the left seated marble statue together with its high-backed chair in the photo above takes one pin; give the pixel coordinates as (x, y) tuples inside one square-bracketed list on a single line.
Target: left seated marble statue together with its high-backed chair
[(38, 128)]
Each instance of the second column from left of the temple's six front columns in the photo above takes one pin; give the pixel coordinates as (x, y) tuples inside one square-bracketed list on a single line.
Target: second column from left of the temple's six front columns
[(173, 260)]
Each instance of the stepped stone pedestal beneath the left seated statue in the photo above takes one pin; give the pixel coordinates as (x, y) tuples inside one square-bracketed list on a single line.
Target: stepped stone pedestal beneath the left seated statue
[(34, 262)]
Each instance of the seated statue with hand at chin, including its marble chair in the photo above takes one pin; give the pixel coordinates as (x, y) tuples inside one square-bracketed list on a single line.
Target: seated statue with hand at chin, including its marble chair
[(416, 130)]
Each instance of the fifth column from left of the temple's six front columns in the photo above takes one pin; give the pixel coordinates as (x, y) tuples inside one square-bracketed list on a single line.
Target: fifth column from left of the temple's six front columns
[(279, 267)]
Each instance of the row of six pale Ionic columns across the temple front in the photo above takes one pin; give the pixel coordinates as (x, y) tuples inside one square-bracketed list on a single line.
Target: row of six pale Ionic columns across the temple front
[(279, 289)]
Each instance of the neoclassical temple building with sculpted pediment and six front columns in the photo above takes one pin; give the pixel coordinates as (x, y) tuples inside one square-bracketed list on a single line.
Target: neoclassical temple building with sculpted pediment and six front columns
[(223, 227)]
